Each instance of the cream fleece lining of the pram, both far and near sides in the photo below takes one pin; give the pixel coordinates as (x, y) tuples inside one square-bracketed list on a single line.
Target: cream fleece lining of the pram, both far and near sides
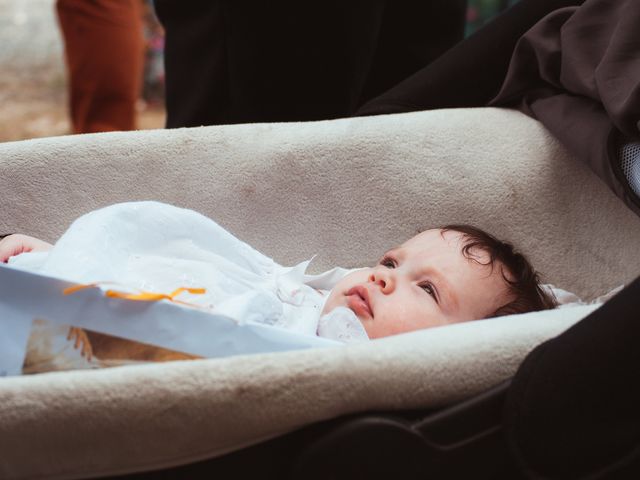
[(345, 190)]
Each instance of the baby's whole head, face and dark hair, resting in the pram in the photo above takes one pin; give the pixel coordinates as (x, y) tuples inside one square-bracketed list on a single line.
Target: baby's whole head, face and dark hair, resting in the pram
[(439, 277)]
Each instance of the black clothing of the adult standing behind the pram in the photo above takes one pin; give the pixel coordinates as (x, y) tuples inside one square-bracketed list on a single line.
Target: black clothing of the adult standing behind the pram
[(240, 61)]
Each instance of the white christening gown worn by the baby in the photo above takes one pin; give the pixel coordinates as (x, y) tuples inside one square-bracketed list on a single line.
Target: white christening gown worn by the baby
[(158, 248)]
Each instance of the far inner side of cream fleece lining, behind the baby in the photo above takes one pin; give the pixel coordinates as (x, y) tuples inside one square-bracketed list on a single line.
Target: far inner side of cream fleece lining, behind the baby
[(344, 190)]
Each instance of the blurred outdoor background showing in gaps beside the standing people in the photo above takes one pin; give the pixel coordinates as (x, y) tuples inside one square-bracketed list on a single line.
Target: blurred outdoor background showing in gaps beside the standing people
[(33, 84)]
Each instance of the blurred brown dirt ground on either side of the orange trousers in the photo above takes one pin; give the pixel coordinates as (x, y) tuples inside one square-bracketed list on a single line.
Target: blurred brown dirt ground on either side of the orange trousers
[(34, 104)]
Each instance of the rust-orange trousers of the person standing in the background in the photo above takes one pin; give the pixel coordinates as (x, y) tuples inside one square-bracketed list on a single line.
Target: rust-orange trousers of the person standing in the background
[(104, 50)]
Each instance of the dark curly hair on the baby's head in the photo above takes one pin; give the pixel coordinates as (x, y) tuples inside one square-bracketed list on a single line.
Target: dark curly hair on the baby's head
[(522, 280)]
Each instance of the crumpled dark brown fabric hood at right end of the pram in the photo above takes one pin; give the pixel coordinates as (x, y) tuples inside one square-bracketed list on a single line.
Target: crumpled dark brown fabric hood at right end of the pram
[(578, 72)]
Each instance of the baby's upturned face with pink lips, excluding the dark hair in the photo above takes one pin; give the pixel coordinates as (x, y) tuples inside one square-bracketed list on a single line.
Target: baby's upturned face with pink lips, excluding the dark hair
[(425, 282)]
